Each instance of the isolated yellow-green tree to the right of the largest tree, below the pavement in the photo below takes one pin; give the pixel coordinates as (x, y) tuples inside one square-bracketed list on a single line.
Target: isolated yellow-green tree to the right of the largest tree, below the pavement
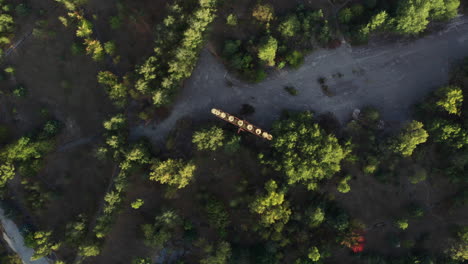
[(409, 138)]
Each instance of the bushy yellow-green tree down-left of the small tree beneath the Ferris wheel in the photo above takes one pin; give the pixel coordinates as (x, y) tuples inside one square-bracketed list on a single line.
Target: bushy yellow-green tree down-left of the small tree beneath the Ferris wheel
[(175, 173)]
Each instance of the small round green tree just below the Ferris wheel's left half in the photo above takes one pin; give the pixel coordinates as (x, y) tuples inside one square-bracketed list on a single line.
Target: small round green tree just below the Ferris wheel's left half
[(209, 139)]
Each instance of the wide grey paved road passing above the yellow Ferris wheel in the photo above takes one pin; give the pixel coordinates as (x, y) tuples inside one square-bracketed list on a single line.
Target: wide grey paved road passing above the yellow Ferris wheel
[(390, 76)]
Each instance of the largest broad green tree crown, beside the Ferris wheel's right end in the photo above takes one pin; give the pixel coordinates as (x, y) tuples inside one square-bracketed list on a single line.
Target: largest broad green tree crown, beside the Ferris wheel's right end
[(304, 151)]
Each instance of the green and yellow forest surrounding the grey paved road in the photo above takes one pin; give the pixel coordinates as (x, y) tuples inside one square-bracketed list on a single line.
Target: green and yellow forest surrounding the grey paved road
[(209, 194)]
